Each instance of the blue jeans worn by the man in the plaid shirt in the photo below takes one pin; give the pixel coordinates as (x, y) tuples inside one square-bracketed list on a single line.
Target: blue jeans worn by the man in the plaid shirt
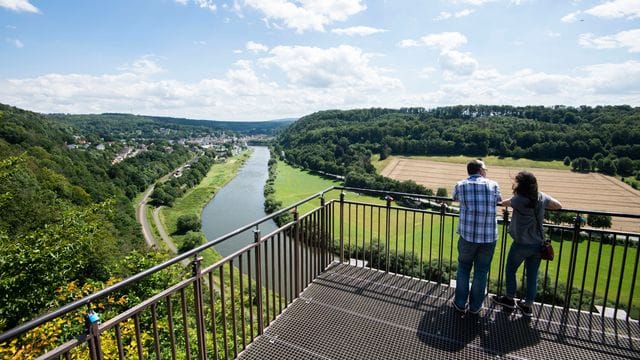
[(479, 256)]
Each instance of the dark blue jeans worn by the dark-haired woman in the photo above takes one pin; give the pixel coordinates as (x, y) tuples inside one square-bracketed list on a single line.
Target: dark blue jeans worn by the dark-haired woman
[(530, 254)]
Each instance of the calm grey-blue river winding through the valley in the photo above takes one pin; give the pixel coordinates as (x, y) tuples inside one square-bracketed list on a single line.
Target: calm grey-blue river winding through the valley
[(238, 203)]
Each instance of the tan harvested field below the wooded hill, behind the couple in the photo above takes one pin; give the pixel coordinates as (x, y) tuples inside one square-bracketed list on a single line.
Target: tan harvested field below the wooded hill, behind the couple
[(590, 191)]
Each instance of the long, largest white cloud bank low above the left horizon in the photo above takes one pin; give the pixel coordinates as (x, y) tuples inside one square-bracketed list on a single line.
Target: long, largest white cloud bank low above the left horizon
[(314, 79)]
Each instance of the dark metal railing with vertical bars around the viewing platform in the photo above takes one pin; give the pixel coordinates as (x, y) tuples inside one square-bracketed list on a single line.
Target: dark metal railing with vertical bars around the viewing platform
[(218, 310)]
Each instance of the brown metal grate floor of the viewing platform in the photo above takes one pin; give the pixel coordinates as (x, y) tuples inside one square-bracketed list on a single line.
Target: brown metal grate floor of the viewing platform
[(357, 313)]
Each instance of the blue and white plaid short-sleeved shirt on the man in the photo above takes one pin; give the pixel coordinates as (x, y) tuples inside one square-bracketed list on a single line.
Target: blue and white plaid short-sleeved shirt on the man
[(478, 197)]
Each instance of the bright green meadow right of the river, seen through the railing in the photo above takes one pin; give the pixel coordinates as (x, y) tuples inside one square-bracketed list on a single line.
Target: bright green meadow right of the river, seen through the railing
[(421, 235)]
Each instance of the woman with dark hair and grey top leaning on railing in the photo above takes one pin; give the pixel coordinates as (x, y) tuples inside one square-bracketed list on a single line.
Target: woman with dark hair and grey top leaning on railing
[(527, 232)]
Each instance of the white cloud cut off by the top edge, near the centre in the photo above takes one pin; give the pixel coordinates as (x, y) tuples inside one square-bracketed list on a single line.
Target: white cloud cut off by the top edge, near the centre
[(310, 15)]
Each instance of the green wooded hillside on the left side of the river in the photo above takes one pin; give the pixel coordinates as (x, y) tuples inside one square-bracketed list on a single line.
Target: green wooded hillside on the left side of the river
[(66, 212)]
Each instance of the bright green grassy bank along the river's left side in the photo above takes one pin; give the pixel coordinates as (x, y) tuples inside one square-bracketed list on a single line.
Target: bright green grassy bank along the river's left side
[(197, 198)]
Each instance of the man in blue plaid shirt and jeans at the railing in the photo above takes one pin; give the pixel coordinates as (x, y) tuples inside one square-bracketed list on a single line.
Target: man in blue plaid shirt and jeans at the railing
[(478, 197)]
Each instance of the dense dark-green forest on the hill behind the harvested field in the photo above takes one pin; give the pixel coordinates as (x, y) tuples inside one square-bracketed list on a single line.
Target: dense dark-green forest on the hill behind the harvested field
[(602, 138)]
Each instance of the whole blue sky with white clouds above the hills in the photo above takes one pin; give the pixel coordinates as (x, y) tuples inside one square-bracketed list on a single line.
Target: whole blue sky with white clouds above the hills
[(267, 59)]
